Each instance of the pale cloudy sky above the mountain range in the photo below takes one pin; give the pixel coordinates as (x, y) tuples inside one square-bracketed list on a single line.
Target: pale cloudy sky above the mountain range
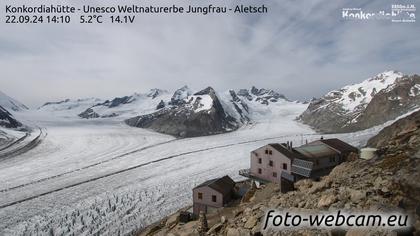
[(300, 48)]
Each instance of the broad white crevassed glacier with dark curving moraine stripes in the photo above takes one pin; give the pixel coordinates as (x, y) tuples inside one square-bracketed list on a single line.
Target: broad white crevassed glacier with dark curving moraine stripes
[(104, 177)]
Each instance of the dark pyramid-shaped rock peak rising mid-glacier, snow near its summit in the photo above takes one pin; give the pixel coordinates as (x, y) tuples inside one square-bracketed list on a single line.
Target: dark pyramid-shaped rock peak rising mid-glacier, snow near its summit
[(189, 119)]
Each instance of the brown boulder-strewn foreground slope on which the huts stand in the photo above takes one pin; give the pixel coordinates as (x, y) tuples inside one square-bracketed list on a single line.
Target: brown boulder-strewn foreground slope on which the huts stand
[(388, 183)]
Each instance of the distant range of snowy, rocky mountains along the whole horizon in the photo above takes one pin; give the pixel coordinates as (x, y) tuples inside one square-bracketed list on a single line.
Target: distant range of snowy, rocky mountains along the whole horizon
[(184, 113)]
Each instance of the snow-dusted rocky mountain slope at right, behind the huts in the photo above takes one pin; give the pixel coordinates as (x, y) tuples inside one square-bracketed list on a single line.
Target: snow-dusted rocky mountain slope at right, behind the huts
[(374, 101)]
